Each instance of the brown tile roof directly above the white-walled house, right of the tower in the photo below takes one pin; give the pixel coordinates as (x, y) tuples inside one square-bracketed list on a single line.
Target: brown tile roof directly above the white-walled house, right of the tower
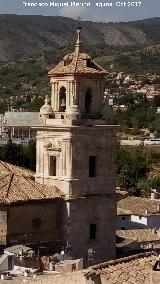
[(138, 206)]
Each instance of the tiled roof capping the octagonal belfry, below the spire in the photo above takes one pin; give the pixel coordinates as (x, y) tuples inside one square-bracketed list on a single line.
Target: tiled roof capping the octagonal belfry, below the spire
[(77, 63)]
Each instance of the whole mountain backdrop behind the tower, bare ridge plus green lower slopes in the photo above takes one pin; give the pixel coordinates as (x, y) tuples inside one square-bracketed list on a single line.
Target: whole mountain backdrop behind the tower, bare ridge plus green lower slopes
[(30, 45)]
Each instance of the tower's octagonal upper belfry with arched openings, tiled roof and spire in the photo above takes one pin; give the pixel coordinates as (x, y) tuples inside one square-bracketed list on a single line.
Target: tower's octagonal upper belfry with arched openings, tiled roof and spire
[(77, 79)]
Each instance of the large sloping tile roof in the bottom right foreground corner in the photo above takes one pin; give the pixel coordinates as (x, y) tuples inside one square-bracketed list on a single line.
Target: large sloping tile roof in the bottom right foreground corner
[(134, 269)]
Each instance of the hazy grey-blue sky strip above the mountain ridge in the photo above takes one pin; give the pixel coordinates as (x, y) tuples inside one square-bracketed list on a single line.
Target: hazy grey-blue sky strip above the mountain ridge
[(148, 9)]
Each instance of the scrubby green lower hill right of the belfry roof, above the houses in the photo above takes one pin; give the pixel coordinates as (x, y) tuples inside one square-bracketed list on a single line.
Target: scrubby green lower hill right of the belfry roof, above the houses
[(140, 60)]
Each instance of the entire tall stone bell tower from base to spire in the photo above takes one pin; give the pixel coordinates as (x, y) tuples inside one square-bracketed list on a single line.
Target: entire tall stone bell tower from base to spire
[(75, 153)]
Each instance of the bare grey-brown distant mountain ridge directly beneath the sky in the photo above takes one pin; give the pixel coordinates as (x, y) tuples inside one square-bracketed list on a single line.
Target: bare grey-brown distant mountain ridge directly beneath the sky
[(21, 36)]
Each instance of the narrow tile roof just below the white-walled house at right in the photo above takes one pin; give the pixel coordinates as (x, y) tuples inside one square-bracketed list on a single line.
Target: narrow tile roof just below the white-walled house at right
[(140, 235)]
